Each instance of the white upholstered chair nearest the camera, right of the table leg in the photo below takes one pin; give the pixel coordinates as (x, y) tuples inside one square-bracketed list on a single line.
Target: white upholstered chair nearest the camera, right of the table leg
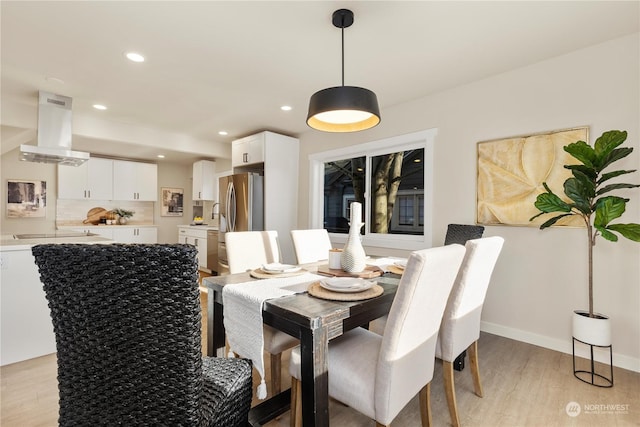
[(378, 375)]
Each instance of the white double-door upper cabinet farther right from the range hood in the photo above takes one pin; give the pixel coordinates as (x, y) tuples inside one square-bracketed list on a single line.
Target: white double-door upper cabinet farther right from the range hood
[(135, 181)]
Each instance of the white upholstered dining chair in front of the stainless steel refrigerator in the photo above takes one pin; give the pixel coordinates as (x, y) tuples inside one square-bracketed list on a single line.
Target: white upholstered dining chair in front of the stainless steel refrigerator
[(248, 250)]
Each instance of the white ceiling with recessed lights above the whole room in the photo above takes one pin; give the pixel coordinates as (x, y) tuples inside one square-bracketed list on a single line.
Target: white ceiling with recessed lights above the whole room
[(230, 65)]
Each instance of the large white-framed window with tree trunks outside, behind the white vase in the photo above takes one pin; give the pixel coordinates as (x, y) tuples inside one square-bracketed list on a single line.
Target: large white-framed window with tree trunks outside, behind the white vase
[(392, 178)]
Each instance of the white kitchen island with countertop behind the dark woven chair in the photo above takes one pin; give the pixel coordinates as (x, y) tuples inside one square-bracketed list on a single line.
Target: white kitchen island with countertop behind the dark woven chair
[(26, 328)]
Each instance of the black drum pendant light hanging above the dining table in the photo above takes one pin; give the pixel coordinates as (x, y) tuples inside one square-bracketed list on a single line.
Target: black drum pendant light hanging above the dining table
[(343, 108)]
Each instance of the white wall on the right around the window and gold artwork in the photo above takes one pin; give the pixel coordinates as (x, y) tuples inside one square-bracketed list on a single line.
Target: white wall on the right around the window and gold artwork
[(541, 276)]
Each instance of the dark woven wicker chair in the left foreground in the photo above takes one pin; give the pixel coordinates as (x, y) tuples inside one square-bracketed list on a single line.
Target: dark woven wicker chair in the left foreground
[(127, 322)]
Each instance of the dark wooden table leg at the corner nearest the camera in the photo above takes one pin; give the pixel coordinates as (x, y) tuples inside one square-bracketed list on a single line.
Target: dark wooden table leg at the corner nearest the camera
[(314, 346)]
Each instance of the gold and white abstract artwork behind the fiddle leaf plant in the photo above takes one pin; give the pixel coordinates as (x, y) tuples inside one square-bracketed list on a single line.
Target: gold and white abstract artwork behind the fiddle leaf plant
[(511, 172)]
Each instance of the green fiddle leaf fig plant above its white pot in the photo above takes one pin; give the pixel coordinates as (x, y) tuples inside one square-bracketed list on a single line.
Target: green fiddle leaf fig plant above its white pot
[(589, 192)]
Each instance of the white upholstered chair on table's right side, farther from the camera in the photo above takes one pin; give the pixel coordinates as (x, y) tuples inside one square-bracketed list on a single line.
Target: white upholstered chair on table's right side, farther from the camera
[(460, 329)]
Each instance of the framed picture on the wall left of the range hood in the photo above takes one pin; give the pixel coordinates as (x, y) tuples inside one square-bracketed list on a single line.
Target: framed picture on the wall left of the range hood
[(26, 199)]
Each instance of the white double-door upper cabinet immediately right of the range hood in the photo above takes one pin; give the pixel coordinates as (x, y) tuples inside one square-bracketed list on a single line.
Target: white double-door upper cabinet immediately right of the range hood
[(91, 180)]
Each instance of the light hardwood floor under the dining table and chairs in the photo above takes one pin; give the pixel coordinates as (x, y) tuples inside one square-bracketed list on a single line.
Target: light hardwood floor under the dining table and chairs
[(524, 385)]
